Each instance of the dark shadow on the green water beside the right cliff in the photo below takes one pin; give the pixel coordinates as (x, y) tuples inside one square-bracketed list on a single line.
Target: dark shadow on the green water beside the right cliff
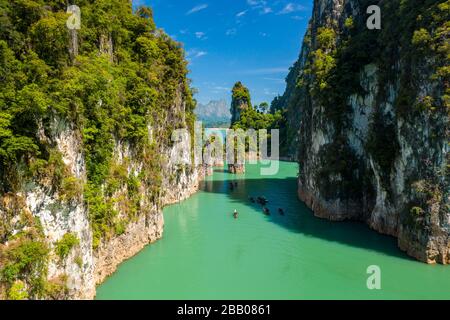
[(298, 218)]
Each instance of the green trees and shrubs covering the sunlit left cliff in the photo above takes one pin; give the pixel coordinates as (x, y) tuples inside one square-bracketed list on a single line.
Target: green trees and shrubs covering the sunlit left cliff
[(124, 78)]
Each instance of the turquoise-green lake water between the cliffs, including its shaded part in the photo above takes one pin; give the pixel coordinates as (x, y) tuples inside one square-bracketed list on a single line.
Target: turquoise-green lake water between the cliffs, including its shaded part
[(206, 254)]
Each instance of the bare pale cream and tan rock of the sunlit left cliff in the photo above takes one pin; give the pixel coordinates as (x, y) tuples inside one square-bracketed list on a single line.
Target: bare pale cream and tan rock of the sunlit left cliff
[(86, 267)]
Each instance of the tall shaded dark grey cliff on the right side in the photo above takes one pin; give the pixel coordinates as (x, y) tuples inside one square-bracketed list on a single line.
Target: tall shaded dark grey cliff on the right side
[(369, 116)]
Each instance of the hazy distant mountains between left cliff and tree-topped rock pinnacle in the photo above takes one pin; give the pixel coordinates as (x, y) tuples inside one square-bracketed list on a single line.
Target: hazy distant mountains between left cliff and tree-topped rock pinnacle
[(215, 113)]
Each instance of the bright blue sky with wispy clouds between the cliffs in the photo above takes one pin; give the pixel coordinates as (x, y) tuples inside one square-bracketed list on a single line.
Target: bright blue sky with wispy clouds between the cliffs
[(253, 41)]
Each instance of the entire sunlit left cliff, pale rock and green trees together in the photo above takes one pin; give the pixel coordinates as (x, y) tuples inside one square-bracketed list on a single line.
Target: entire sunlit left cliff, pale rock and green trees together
[(86, 117)]
